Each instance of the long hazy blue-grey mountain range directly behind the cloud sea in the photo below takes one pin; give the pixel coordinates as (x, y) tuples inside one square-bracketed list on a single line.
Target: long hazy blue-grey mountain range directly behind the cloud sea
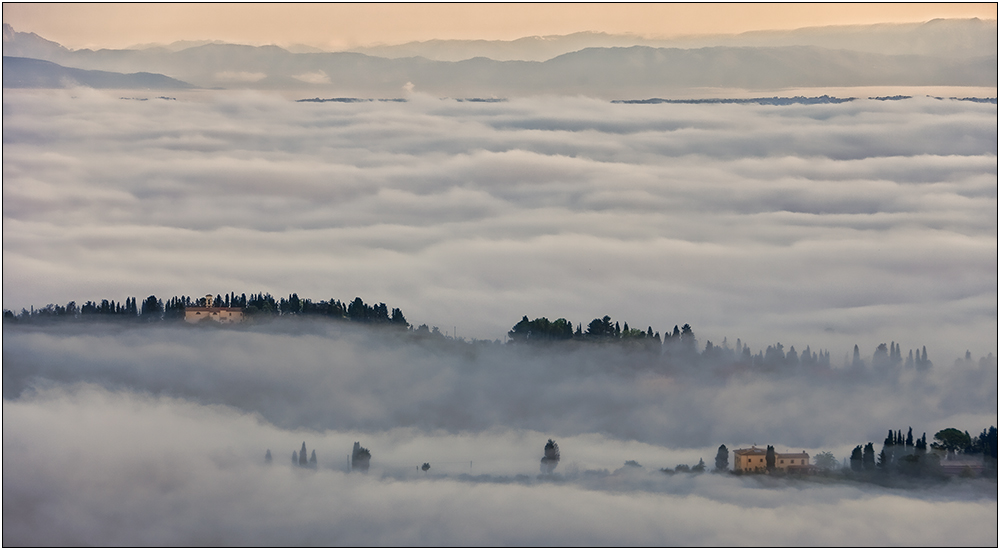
[(609, 72)]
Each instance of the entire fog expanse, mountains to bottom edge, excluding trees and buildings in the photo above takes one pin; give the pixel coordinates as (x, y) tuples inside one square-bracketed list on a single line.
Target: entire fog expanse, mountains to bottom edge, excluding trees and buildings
[(828, 225)]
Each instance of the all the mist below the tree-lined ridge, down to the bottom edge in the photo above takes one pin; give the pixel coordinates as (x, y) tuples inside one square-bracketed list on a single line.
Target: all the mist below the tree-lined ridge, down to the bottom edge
[(156, 435)]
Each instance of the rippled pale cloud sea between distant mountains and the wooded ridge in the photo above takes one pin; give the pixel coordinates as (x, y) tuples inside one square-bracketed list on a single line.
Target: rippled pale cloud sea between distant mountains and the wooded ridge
[(820, 225)]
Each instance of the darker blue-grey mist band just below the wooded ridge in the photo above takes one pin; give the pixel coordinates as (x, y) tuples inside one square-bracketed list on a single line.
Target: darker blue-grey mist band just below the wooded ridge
[(333, 376)]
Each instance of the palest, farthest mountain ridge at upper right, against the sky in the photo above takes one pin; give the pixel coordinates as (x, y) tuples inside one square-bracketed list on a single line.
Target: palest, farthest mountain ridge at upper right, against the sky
[(940, 37)]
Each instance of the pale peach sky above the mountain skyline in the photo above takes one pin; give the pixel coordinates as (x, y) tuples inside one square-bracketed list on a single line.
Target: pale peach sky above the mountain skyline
[(332, 26)]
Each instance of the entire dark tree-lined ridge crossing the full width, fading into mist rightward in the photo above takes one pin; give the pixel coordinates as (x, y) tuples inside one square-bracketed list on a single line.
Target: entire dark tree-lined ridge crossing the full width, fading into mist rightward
[(677, 346)]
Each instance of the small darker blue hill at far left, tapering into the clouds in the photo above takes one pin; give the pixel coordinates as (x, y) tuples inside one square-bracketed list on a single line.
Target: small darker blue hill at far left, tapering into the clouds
[(22, 72)]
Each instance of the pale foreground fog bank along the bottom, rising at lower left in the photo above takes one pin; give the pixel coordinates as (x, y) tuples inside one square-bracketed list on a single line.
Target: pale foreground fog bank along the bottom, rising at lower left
[(118, 468)]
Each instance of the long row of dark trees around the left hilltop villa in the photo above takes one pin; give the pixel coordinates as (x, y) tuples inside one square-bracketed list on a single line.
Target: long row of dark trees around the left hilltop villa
[(261, 304)]
